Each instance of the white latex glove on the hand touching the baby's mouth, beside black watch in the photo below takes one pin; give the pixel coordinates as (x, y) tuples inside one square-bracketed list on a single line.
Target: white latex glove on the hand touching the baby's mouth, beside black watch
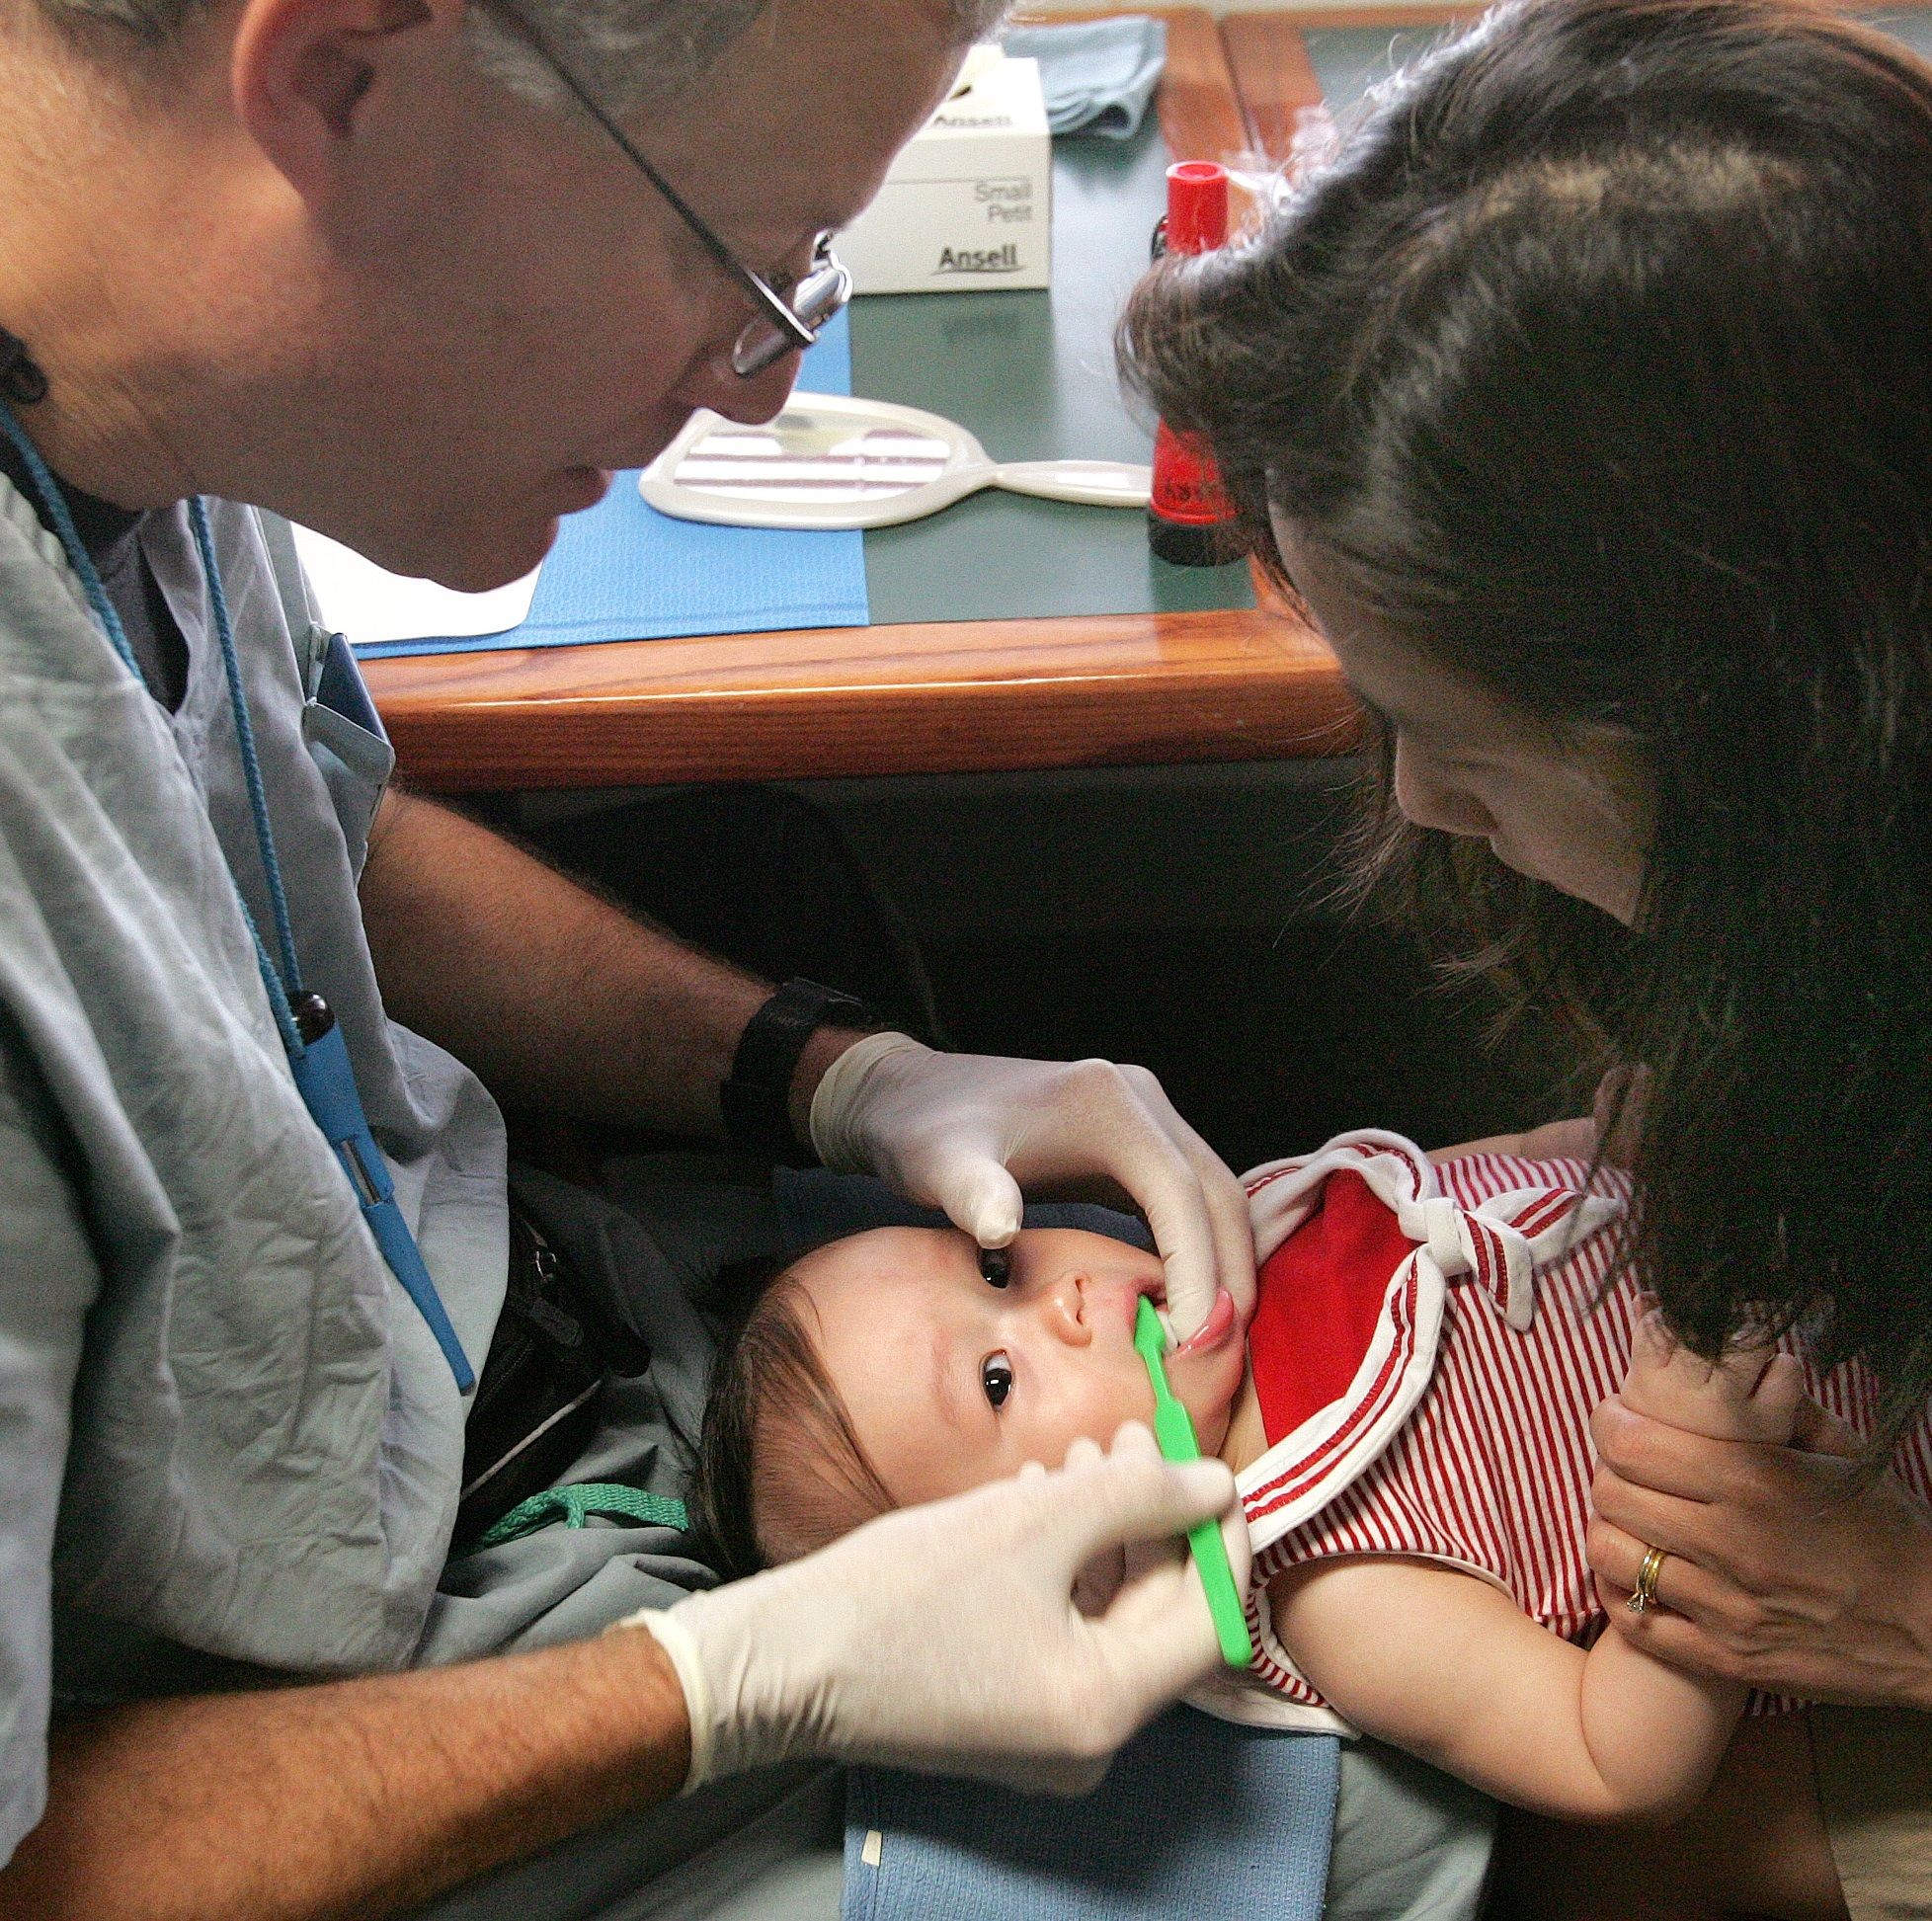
[(965, 1132)]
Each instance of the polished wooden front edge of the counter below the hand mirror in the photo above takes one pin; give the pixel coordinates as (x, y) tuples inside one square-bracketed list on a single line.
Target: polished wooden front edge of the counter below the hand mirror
[(959, 699)]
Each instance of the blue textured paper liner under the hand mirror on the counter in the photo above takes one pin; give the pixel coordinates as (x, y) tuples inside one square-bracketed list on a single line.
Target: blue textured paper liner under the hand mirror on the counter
[(623, 571)]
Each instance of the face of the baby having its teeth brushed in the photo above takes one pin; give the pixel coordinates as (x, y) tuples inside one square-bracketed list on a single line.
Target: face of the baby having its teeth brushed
[(953, 1381)]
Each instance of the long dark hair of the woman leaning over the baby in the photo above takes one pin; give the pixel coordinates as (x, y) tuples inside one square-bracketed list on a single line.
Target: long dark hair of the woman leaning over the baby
[(1601, 368)]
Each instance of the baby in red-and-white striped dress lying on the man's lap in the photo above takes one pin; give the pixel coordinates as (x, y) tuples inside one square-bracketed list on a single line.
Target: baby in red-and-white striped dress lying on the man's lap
[(1407, 1421)]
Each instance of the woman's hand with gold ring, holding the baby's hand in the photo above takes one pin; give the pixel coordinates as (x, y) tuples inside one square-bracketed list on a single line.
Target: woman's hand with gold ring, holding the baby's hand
[(1782, 1574)]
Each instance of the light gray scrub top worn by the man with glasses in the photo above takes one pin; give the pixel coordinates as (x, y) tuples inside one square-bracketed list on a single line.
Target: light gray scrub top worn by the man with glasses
[(221, 1419)]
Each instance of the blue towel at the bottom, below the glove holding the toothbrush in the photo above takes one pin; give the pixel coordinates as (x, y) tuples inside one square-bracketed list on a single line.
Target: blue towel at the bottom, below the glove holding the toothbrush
[(1199, 1820)]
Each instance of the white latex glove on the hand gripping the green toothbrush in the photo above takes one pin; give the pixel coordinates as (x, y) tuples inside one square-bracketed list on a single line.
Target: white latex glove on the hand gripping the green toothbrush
[(948, 1640)]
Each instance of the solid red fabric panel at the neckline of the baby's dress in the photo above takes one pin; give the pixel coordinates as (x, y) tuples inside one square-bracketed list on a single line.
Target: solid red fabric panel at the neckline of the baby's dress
[(1321, 1298)]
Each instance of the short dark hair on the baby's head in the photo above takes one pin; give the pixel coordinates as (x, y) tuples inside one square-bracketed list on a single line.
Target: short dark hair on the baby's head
[(780, 1466)]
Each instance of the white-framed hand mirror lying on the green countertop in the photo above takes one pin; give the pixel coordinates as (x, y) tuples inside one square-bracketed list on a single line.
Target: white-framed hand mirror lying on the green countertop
[(836, 463)]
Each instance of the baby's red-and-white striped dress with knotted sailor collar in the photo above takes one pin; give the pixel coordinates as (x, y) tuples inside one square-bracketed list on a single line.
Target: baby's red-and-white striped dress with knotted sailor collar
[(1427, 1352)]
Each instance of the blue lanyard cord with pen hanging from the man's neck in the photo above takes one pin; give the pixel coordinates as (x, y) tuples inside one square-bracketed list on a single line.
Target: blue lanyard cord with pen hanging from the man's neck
[(322, 1068)]
